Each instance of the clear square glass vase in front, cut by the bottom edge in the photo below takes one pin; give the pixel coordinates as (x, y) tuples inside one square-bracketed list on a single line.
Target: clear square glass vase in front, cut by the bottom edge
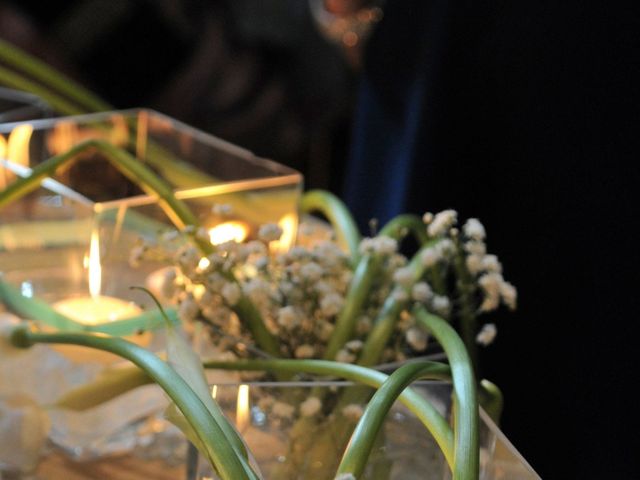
[(291, 440)]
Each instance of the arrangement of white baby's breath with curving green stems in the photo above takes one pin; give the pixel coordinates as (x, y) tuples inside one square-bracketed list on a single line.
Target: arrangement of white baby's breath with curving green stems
[(332, 307)]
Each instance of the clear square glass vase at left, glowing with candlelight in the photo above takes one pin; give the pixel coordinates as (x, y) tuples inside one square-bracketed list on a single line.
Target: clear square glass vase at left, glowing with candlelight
[(89, 213)]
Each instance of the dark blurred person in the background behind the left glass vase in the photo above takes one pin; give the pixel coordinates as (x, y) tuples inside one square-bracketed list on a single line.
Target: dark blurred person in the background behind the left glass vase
[(254, 72)]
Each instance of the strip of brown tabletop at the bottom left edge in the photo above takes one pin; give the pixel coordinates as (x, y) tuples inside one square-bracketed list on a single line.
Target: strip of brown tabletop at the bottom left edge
[(127, 467)]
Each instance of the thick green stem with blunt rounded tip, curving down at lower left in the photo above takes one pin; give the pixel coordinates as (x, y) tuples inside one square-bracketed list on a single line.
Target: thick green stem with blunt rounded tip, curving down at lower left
[(220, 448)]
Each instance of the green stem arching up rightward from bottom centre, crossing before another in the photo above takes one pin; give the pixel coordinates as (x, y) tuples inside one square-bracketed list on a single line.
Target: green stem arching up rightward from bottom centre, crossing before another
[(364, 436)]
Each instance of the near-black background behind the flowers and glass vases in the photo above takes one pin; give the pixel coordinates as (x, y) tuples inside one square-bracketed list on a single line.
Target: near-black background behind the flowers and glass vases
[(524, 114)]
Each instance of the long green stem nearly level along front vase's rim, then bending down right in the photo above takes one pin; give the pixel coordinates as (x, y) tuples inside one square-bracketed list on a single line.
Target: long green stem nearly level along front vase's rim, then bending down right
[(418, 405)]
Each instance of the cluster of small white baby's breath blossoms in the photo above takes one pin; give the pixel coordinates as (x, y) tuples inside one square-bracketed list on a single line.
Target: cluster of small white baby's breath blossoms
[(301, 293)]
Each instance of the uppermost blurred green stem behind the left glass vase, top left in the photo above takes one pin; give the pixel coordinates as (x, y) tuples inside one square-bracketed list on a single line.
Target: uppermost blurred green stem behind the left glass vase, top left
[(39, 70)]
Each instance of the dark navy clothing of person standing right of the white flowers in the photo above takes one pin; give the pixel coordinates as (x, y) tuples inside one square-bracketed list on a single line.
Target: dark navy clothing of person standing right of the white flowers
[(524, 114)]
